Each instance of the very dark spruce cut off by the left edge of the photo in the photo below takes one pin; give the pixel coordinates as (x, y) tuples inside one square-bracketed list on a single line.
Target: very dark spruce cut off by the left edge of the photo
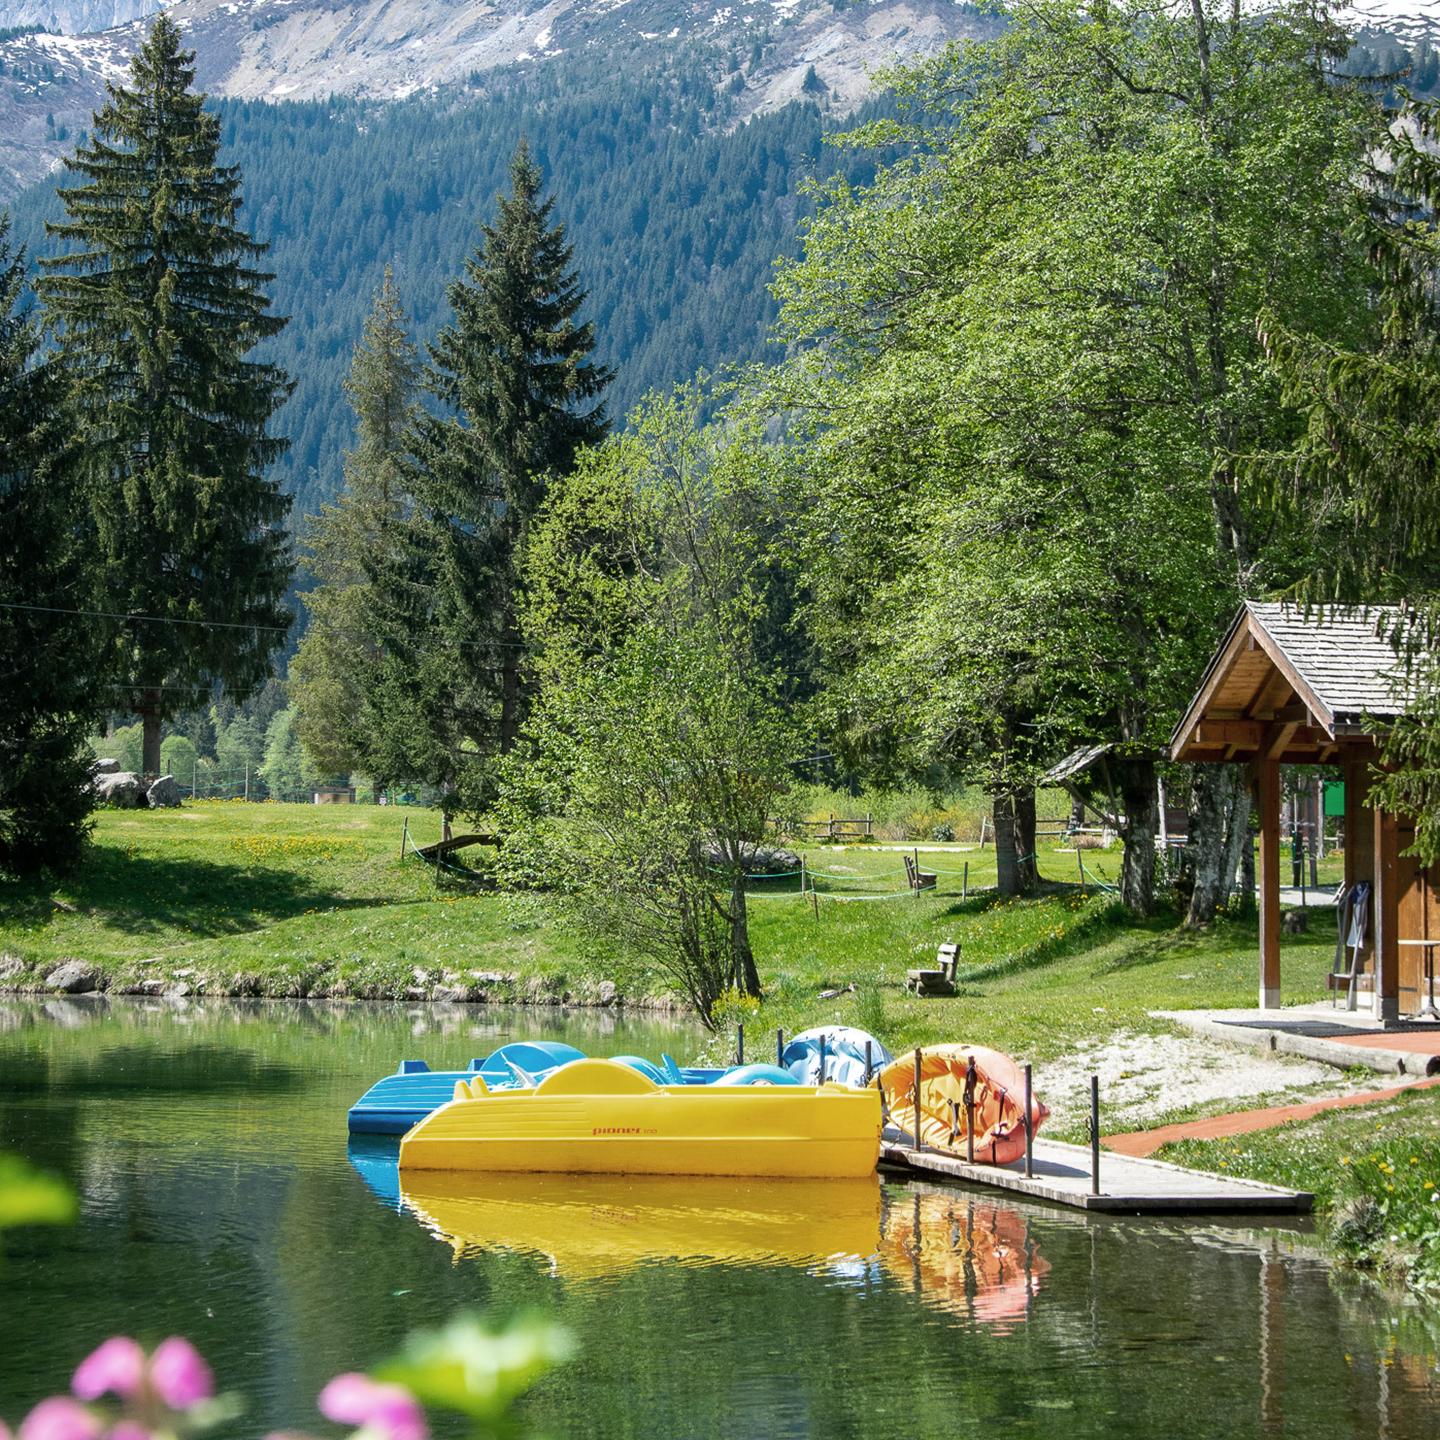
[(48, 653)]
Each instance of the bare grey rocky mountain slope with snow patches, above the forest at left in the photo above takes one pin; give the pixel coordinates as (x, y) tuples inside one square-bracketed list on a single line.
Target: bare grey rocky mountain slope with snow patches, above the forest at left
[(773, 51)]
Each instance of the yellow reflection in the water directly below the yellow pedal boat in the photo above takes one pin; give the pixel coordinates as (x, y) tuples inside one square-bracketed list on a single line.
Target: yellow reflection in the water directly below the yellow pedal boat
[(593, 1226)]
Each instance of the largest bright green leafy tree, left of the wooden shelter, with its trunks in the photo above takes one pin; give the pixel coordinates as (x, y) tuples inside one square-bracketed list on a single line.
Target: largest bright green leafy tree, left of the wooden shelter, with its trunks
[(1026, 364)]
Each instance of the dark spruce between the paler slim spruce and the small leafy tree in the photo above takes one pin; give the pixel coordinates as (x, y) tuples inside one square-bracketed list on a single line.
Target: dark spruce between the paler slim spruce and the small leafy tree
[(519, 397)]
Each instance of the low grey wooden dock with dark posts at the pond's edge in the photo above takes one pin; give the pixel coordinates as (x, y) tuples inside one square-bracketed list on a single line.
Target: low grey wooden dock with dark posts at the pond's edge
[(1128, 1184)]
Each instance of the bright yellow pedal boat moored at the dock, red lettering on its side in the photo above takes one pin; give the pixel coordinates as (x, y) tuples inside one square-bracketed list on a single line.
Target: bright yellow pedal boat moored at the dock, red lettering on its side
[(601, 1118)]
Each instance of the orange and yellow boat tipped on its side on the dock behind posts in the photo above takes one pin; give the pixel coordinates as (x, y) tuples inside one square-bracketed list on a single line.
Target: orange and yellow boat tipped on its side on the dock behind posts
[(999, 1101)]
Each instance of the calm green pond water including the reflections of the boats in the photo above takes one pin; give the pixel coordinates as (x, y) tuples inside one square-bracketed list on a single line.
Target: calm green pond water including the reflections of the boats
[(221, 1202)]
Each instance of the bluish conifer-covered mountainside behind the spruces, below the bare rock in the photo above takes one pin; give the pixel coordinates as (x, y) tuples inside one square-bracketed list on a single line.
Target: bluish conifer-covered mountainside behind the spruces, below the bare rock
[(676, 221)]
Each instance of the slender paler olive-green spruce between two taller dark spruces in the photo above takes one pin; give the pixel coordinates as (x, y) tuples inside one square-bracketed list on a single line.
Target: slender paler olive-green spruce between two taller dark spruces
[(354, 539)]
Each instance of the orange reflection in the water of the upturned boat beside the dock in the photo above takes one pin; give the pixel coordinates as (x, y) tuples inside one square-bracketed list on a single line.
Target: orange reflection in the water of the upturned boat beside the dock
[(964, 1255)]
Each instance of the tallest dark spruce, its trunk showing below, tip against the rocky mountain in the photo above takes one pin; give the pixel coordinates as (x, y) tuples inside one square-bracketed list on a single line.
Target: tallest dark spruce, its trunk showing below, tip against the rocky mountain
[(156, 310)]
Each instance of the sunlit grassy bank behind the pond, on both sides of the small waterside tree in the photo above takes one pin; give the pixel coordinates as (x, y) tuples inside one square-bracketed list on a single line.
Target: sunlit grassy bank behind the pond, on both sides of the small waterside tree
[(315, 901)]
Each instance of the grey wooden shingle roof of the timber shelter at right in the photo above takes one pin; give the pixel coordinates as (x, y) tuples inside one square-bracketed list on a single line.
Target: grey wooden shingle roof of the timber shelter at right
[(1338, 654)]
